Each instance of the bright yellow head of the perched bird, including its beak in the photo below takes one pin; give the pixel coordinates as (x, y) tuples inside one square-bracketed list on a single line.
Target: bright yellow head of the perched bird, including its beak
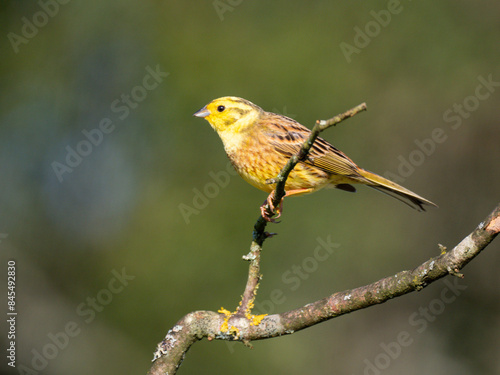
[(230, 114)]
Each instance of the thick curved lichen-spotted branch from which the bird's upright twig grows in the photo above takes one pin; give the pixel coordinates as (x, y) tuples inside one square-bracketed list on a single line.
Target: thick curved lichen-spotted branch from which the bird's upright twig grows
[(200, 324)]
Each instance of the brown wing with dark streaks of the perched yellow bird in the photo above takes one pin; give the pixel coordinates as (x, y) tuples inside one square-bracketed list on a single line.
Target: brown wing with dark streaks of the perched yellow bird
[(287, 136)]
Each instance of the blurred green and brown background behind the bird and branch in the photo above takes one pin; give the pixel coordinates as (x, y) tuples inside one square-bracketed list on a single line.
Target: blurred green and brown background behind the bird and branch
[(143, 200)]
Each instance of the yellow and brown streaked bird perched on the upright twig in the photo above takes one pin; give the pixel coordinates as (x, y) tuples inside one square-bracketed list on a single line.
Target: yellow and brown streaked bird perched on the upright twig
[(259, 144)]
